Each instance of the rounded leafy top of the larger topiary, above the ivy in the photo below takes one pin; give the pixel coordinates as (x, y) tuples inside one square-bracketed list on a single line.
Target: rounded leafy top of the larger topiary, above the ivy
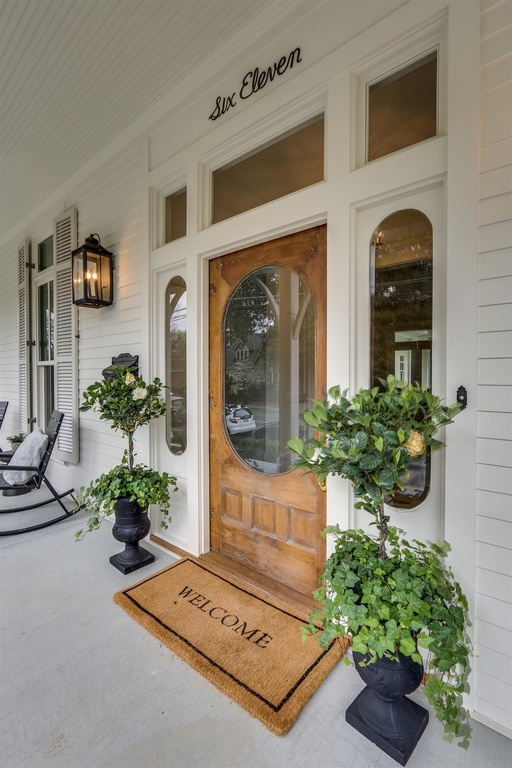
[(371, 440)]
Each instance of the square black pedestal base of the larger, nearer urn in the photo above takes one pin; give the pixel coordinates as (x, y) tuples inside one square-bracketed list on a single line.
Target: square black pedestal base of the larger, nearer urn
[(400, 748)]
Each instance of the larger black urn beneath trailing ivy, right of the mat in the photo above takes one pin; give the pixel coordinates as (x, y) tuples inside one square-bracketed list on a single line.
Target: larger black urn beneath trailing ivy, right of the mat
[(382, 712)]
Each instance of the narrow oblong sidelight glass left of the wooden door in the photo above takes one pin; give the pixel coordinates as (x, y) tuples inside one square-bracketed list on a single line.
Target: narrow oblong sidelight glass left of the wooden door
[(176, 365)]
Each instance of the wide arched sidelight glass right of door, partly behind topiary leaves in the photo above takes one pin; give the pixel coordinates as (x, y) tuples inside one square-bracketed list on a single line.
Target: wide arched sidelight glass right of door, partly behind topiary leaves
[(401, 318)]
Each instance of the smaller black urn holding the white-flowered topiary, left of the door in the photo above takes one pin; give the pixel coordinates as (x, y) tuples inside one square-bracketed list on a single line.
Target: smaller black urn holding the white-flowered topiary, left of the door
[(131, 525)]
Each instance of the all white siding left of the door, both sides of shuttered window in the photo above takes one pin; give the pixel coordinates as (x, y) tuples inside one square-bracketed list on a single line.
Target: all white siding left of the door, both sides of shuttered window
[(108, 203)]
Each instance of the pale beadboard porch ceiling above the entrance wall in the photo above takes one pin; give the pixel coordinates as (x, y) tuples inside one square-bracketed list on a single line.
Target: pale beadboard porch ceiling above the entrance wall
[(78, 75)]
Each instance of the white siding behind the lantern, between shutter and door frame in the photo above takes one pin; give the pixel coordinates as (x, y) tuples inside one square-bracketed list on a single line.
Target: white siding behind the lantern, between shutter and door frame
[(110, 204)]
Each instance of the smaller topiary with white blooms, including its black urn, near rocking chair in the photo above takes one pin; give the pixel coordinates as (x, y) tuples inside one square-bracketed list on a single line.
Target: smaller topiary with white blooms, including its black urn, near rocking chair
[(128, 489)]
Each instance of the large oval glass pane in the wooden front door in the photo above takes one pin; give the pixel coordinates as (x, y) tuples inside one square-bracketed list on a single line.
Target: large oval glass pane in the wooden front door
[(269, 368)]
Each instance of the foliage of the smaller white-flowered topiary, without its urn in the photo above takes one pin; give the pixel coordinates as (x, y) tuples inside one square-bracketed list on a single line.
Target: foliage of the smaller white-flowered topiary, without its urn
[(128, 403)]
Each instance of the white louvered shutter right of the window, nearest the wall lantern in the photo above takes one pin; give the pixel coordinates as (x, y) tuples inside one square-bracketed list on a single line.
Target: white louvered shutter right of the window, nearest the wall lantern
[(66, 347)]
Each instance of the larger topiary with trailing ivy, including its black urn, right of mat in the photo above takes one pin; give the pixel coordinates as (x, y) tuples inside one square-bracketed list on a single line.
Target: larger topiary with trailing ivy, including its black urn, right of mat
[(393, 597)]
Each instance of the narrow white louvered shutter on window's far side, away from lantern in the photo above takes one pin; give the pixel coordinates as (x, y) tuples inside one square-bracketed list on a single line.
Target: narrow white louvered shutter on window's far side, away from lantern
[(25, 355)]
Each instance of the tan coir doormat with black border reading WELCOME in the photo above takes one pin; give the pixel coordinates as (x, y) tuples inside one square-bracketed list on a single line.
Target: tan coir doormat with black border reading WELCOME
[(248, 645)]
